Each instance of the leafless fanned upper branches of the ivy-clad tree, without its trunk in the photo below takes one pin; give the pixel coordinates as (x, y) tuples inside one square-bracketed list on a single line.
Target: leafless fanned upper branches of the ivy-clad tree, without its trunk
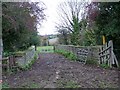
[(67, 11)]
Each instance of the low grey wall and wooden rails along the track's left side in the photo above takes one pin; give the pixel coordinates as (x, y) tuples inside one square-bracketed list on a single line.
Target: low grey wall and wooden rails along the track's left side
[(18, 60)]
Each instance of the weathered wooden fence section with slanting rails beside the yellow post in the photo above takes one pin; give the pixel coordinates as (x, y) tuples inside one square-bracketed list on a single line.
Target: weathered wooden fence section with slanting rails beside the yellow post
[(107, 55)]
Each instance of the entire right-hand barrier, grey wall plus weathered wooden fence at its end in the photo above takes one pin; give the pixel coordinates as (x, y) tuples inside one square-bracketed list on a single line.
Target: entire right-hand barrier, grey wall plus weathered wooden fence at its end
[(104, 54)]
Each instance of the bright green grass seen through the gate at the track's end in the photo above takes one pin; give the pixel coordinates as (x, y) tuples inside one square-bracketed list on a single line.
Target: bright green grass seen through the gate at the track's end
[(45, 49)]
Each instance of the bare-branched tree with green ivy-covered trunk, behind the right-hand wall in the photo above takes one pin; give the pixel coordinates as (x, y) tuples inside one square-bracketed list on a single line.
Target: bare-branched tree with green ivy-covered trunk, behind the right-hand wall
[(71, 13)]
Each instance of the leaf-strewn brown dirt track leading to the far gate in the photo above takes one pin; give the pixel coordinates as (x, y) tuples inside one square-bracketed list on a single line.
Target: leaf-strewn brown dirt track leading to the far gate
[(54, 71)]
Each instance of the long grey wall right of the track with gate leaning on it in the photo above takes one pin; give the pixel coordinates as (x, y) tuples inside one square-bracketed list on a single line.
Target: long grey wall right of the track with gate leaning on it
[(82, 52)]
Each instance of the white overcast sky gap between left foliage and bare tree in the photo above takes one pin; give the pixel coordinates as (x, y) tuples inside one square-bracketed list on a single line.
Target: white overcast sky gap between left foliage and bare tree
[(48, 26)]
